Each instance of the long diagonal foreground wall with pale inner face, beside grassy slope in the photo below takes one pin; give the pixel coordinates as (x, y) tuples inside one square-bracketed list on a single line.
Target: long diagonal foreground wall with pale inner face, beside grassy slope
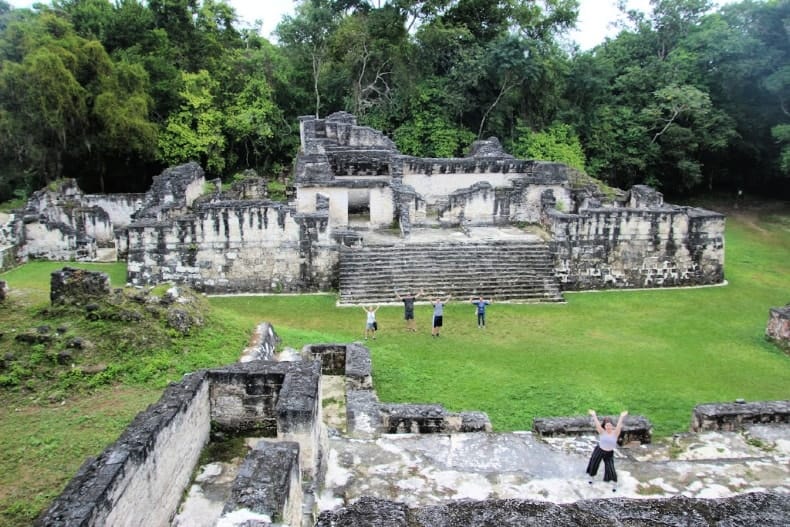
[(140, 479)]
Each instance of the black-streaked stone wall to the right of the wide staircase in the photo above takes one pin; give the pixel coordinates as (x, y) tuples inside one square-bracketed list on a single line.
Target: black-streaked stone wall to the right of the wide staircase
[(633, 248)]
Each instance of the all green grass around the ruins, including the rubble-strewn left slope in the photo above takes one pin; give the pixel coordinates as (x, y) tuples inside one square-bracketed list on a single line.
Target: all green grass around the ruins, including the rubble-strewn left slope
[(656, 353)]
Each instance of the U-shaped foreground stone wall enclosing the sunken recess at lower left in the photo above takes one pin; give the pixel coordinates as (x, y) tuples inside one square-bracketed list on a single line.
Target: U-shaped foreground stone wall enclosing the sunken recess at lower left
[(140, 479)]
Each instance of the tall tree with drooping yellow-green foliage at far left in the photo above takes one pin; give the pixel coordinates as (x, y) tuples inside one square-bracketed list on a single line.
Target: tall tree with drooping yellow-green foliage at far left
[(65, 104)]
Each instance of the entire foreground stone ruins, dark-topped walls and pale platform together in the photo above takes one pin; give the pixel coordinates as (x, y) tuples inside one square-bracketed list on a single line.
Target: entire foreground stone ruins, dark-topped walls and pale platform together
[(299, 471)]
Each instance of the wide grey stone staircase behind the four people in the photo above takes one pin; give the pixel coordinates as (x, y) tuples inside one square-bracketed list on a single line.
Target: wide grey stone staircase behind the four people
[(517, 271)]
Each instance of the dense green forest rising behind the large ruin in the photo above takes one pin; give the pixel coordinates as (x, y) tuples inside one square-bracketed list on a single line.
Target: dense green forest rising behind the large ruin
[(686, 98)]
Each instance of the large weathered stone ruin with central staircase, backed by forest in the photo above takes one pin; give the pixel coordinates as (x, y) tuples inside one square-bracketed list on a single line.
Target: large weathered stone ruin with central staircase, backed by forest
[(360, 203)]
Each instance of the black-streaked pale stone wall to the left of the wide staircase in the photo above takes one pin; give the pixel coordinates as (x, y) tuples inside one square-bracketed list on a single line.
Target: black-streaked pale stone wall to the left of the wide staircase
[(250, 246)]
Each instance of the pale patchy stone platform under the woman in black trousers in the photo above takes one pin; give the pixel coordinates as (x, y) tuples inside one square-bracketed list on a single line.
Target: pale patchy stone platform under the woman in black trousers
[(422, 470)]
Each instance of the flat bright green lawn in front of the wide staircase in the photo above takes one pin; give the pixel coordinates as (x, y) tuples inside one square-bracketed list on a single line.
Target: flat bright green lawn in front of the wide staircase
[(656, 353)]
